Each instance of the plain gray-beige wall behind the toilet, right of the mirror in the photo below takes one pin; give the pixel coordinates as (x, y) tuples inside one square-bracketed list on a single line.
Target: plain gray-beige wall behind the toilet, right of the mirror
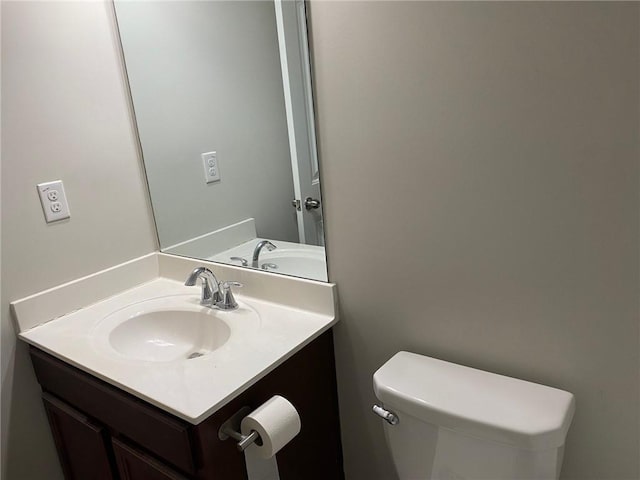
[(497, 147)]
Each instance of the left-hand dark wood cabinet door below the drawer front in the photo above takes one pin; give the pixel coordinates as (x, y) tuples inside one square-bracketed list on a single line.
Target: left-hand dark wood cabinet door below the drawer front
[(81, 444)]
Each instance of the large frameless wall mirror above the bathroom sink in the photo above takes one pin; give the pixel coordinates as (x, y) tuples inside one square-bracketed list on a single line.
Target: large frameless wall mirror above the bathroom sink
[(221, 92)]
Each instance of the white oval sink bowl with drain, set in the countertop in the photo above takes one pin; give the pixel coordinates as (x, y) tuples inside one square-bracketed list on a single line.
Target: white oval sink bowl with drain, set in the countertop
[(167, 335)]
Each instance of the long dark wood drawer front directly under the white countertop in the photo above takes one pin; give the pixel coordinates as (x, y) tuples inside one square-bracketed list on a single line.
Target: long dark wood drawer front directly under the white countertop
[(161, 433)]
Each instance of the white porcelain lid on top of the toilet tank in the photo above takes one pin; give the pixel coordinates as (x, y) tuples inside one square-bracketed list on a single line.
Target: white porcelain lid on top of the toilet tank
[(475, 402)]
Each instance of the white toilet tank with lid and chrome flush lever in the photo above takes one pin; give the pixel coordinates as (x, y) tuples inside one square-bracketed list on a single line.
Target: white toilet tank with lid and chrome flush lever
[(459, 423)]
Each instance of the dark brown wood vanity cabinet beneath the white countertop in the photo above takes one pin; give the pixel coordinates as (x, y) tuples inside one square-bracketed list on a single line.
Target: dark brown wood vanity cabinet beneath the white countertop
[(102, 432)]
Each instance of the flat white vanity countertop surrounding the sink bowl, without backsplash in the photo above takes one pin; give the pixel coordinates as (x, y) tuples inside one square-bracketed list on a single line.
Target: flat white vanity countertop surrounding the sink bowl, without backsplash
[(193, 389)]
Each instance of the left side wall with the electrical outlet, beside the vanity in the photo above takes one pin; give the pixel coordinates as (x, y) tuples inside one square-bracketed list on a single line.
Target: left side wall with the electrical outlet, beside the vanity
[(64, 116)]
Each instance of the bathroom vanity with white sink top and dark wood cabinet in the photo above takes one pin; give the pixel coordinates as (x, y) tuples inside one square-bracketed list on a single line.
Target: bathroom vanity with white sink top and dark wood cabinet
[(137, 385)]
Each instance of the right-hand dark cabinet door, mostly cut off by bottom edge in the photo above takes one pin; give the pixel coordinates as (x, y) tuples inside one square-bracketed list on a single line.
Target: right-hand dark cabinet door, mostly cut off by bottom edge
[(135, 465)]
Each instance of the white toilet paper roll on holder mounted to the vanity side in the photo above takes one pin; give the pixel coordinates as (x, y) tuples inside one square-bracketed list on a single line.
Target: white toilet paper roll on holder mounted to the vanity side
[(276, 421)]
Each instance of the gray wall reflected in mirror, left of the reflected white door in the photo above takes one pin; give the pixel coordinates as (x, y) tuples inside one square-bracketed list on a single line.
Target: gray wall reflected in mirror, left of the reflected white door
[(205, 76)]
